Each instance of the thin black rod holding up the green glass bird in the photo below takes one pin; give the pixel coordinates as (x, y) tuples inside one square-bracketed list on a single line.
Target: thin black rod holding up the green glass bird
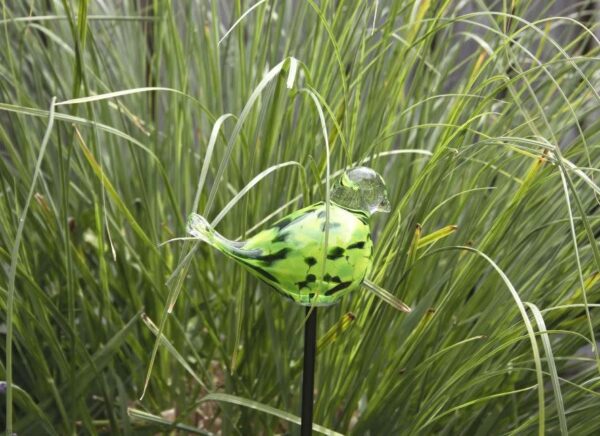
[(308, 371)]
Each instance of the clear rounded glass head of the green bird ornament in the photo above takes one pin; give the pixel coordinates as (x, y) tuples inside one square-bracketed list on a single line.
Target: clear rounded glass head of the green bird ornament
[(363, 189)]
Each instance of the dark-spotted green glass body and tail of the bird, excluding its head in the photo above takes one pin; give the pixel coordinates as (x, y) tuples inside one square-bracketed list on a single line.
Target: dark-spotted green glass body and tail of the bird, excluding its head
[(290, 255)]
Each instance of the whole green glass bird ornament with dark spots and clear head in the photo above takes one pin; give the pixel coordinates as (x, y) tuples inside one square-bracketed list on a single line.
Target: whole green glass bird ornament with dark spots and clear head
[(290, 255)]
